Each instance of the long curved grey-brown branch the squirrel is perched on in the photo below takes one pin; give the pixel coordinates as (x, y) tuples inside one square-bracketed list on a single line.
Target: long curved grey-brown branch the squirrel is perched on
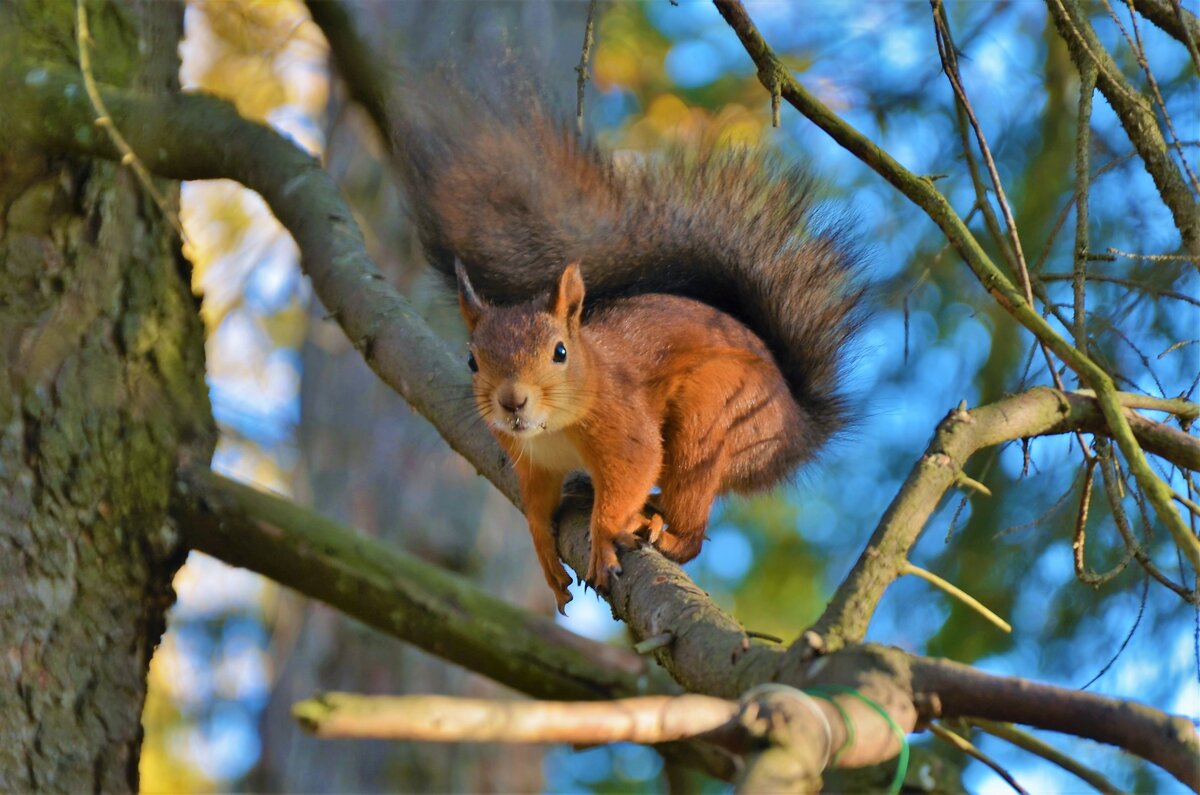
[(189, 138)]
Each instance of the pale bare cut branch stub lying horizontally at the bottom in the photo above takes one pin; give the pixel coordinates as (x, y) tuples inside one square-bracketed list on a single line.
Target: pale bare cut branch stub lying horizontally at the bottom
[(788, 737)]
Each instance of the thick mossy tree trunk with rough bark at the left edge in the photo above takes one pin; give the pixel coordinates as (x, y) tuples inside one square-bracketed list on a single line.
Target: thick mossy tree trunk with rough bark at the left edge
[(103, 397)]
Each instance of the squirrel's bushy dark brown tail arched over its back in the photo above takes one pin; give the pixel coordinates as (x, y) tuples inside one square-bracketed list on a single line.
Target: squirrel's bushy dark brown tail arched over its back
[(514, 195)]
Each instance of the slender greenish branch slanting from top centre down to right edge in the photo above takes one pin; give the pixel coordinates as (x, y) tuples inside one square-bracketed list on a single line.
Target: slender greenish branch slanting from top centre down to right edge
[(776, 77)]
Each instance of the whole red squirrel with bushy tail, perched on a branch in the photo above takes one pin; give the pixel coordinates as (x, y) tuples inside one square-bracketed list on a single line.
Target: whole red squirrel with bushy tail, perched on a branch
[(679, 322)]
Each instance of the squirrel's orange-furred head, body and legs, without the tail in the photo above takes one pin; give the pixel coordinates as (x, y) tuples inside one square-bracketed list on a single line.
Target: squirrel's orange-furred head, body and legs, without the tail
[(653, 390)]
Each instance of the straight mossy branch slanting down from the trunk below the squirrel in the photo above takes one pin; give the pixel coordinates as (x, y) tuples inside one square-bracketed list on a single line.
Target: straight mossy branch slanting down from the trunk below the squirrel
[(381, 587)]
